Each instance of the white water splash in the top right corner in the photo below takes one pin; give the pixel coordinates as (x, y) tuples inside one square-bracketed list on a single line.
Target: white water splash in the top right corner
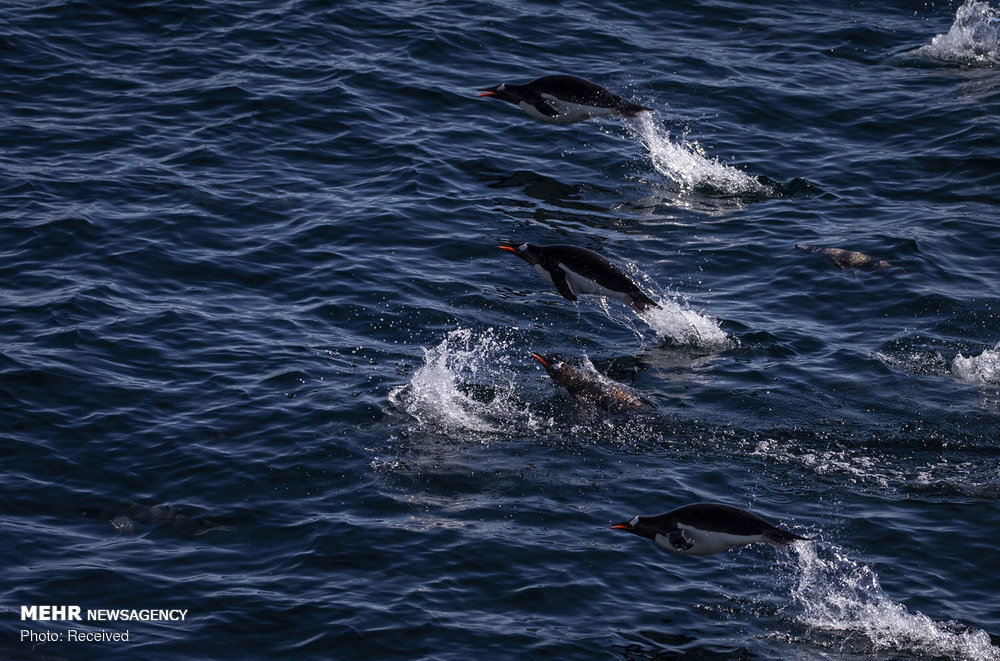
[(973, 39)]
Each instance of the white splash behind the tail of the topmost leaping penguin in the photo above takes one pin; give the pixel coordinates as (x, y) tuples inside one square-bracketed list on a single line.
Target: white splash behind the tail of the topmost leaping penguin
[(685, 163)]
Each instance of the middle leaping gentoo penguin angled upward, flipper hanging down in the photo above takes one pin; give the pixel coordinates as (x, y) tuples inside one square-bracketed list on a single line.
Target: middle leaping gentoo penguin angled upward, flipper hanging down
[(576, 271)]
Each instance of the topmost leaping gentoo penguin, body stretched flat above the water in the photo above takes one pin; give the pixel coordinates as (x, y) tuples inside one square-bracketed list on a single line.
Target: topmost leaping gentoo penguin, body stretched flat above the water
[(563, 99)]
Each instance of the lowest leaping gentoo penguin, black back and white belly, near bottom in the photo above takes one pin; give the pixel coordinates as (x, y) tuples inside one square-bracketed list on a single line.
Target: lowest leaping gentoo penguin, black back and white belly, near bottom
[(706, 528)]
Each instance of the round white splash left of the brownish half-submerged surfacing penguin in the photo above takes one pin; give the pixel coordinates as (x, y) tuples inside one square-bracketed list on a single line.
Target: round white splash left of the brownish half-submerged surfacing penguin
[(466, 384)]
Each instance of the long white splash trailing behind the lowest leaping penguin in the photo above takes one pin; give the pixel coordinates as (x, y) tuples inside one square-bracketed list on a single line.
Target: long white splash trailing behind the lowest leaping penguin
[(840, 596)]
